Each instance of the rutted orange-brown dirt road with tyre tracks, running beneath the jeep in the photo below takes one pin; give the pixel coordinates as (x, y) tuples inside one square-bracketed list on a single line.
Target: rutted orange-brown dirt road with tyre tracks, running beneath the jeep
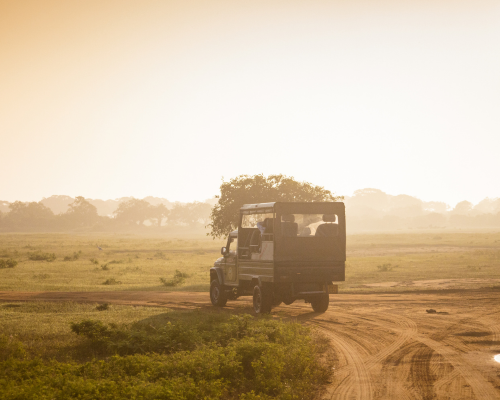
[(388, 346)]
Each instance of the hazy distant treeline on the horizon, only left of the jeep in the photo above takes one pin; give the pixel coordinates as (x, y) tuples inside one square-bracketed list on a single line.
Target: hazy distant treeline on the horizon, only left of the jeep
[(133, 214)]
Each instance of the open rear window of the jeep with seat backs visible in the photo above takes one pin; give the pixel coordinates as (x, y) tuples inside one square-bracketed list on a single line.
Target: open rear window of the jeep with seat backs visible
[(309, 225)]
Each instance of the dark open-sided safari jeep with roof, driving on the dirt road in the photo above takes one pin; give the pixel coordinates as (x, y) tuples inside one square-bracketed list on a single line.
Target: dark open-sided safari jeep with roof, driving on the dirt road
[(282, 252)]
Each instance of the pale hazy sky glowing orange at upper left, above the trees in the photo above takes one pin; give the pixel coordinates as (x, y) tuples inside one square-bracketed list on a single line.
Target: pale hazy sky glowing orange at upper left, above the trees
[(116, 98)]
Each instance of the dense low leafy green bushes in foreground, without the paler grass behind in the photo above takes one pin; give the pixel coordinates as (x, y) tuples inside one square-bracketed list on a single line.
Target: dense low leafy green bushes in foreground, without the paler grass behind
[(202, 358)]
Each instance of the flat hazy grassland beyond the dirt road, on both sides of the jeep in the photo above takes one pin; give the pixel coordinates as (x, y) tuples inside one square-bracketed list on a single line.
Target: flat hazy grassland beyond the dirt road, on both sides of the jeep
[(135, 262)]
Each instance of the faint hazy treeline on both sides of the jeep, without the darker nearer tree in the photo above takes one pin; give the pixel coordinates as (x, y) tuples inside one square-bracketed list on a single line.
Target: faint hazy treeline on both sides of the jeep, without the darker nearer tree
[(368, 210)]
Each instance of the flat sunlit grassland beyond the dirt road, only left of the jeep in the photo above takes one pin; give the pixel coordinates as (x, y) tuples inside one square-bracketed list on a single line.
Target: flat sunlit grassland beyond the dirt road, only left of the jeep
[(129, 262)]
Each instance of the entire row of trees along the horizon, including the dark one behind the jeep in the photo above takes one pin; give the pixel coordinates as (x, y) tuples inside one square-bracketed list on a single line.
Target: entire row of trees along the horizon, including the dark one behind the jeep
[(369, 210)]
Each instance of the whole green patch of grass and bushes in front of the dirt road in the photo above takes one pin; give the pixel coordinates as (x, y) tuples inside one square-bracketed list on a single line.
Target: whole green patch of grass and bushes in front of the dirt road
[(149, 353)]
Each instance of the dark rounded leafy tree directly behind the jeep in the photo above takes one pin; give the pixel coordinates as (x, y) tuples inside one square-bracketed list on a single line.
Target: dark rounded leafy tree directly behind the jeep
[(246, 189)]
